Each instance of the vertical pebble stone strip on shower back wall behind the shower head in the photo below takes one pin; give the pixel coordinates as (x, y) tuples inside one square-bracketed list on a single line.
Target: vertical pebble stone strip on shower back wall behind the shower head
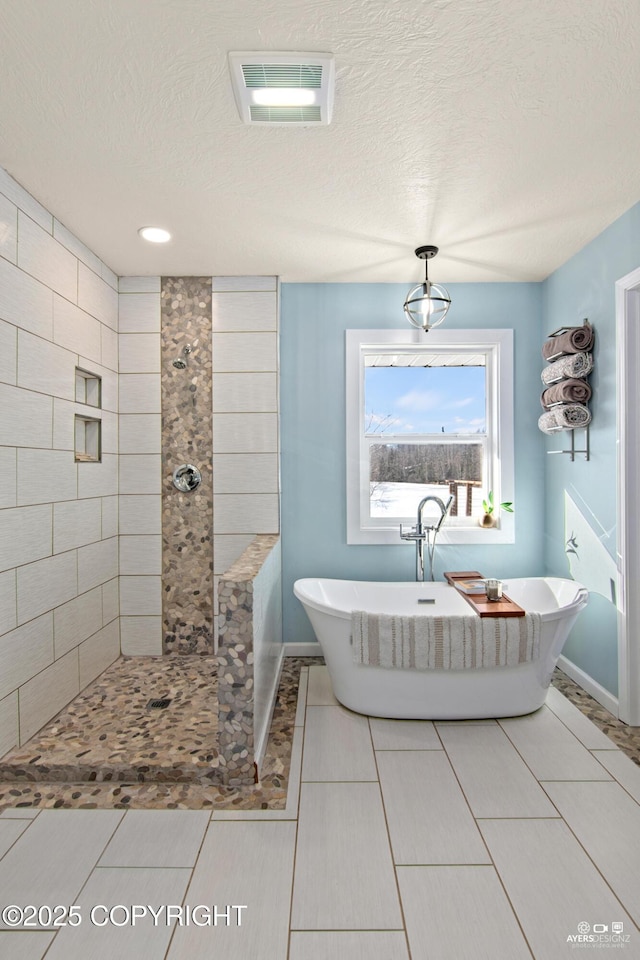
[(187, 418)]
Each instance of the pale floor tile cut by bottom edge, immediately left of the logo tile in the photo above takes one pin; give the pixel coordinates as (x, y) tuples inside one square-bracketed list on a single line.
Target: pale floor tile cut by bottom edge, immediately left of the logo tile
[(459, 913)]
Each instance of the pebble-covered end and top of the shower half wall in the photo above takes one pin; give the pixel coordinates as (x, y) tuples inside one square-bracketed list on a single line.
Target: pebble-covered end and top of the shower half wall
[(235, 663)]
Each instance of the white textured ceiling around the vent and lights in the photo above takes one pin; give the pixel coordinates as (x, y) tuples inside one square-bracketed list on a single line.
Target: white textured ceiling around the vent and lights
[(504, 131)]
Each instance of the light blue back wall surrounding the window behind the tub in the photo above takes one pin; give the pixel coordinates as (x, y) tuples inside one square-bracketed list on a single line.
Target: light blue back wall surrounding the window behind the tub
[(313, 320)]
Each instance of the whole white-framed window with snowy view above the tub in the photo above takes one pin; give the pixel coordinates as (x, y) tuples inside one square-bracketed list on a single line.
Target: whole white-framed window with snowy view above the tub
[(428, 416)]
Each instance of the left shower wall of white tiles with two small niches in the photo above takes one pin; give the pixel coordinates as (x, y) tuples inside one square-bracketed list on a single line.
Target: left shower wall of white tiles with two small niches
[(58, 309)]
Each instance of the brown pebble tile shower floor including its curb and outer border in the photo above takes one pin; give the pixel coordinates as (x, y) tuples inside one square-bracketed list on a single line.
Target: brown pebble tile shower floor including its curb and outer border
[(107, 748)]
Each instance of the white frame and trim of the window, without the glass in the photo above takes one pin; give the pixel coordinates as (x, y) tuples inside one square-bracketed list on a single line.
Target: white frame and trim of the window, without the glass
[(497, 345)]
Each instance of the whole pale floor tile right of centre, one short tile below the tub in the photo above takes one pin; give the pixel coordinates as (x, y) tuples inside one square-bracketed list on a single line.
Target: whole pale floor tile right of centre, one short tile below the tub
[(428, 817)]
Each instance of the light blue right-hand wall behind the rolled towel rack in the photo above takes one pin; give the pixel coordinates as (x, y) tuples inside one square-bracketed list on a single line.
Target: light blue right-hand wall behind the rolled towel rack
[(585, 288)]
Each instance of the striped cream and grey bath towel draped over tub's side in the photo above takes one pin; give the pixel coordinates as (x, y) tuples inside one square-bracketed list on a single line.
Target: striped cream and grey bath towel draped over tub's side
[(444, 643)]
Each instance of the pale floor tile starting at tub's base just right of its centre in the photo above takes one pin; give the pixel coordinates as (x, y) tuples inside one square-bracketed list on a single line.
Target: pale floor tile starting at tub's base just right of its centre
[(493, 776)]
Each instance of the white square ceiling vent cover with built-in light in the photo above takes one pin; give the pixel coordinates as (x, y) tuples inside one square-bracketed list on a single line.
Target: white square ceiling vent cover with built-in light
[(283, 89)]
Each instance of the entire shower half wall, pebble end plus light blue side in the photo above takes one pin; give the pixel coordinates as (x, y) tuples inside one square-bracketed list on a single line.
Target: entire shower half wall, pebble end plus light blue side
[(249, 657)]
